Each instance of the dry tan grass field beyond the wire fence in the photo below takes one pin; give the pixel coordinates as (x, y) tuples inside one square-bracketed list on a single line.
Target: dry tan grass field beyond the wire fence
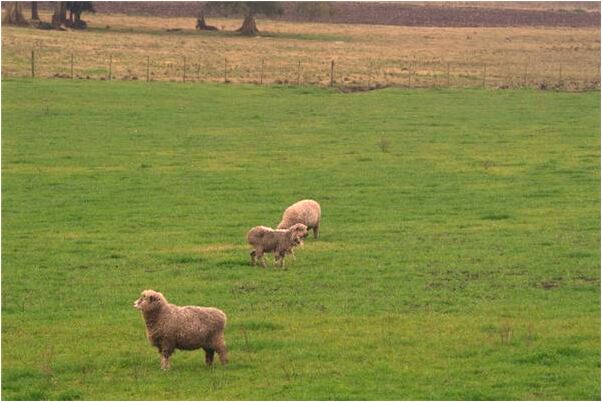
[(301, 53)]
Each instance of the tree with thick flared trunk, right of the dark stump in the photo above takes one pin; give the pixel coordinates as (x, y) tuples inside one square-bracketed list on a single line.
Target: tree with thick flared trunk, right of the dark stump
[(249, 9)]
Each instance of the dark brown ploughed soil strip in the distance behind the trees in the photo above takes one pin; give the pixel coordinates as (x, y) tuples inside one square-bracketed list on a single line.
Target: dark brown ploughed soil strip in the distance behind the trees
[(402, 14)]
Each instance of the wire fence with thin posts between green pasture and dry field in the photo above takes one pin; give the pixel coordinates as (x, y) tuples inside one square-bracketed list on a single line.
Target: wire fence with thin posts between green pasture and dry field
[(406, 72)]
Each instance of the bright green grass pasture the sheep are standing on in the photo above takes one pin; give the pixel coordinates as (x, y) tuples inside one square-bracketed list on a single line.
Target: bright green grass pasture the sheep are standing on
[(459, 255)]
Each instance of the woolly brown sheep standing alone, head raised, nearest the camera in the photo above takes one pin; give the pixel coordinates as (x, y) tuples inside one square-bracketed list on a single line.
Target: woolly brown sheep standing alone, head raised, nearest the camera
[(170, 327)]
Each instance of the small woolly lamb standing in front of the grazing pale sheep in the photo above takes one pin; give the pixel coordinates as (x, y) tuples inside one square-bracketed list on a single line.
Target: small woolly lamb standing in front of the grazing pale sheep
[(279, 241)]
